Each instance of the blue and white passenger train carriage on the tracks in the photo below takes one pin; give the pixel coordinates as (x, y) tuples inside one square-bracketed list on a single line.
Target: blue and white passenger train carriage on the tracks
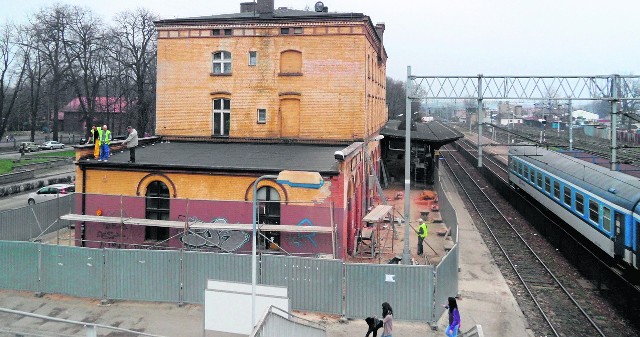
[(600, 204)]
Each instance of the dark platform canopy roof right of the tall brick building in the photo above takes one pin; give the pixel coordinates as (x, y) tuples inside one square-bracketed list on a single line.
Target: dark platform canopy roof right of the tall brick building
[(432, 132)]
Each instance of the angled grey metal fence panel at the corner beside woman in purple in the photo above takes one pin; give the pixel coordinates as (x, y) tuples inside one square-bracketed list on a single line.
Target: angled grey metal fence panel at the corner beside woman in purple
[(446, 280)]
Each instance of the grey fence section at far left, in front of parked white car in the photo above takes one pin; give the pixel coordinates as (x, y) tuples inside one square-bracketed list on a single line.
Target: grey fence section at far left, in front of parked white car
[(32, 222)]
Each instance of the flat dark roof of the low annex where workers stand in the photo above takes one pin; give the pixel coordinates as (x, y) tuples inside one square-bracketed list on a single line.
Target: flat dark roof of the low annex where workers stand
[(228, 157)]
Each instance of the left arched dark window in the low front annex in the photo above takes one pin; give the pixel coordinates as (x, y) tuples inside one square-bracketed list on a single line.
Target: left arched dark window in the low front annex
[(157, 208)]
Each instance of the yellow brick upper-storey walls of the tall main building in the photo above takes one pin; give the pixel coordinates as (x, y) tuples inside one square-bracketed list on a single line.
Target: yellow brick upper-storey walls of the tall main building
[(339, 91)]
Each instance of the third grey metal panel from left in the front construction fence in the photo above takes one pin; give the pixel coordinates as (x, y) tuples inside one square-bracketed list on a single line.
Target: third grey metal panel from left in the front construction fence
[(144, 275)]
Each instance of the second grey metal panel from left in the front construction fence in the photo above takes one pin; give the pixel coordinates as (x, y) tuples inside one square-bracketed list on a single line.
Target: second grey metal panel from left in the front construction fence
[(72, 271)]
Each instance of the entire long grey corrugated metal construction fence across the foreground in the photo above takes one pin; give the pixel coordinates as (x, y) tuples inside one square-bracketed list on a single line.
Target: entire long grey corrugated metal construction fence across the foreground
[(179, 276)]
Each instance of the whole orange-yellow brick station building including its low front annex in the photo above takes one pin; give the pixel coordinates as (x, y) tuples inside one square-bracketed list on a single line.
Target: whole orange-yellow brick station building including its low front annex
[(240, 96)]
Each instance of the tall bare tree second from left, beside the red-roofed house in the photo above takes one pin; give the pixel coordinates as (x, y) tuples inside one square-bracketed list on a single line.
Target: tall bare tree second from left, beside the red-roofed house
[(49, 27)]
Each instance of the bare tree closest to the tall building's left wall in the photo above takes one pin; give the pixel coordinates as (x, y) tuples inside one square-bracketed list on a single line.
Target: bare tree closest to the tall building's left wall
[(135, 45)]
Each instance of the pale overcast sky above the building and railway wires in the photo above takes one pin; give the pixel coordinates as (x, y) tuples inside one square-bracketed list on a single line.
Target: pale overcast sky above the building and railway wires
[(454, 37)]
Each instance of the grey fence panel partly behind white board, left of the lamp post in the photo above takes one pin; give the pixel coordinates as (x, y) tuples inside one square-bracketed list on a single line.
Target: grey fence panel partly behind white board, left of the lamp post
[(199, 267)]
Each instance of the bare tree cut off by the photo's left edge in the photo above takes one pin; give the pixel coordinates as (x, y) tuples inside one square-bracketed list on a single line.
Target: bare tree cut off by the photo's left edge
[(12, 71)]
